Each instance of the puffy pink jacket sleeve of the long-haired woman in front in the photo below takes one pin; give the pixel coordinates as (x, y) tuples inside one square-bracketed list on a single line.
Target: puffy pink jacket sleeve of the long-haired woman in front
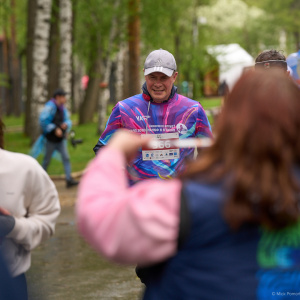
[(131, 225)]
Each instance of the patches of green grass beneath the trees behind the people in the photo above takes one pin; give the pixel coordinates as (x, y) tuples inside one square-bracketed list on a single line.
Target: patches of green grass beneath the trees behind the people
[(16, 141)]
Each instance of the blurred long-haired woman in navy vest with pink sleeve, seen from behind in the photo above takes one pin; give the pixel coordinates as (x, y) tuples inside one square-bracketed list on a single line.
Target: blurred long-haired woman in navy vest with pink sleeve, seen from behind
[(229, 228)]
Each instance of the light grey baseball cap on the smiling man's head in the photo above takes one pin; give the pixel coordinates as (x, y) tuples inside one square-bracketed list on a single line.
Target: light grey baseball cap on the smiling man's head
[(160, 61)]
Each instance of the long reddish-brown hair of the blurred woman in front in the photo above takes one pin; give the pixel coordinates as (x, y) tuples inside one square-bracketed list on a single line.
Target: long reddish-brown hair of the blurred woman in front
[(257, 145)]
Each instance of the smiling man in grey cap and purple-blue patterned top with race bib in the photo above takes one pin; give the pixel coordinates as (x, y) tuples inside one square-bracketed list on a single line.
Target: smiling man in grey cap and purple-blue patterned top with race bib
[(160, 111)]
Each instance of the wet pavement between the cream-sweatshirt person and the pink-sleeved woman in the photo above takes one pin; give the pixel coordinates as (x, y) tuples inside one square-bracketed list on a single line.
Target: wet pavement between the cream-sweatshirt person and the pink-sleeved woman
[(65, 267)]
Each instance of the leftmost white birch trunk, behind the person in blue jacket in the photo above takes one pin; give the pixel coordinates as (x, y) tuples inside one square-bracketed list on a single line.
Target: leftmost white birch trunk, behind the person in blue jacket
[(40, 67)]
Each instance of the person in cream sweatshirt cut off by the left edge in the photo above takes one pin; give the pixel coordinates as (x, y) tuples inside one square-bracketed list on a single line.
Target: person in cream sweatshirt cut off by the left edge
[(29, 207)]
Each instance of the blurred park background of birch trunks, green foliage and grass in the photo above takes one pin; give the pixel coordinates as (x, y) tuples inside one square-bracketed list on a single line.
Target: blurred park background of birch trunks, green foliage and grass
[(45, 44)]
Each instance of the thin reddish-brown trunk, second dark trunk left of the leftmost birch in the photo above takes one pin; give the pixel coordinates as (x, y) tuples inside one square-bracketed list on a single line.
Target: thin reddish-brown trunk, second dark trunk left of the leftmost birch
[(16, 85)]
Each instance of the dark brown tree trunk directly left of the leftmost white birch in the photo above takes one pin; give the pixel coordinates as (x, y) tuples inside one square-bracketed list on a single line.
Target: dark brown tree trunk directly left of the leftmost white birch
[(31, 16)]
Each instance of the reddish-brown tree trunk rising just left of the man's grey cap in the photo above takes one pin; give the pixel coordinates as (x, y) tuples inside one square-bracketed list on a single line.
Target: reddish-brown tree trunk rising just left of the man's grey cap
[(134, 47)]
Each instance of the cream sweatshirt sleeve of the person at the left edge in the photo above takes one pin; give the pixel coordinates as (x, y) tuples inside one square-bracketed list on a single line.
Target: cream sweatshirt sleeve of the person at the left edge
[(42, 207)]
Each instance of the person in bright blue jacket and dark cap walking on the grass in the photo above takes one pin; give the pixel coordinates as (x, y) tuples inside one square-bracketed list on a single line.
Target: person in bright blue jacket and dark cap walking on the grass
[(55, 123)]
